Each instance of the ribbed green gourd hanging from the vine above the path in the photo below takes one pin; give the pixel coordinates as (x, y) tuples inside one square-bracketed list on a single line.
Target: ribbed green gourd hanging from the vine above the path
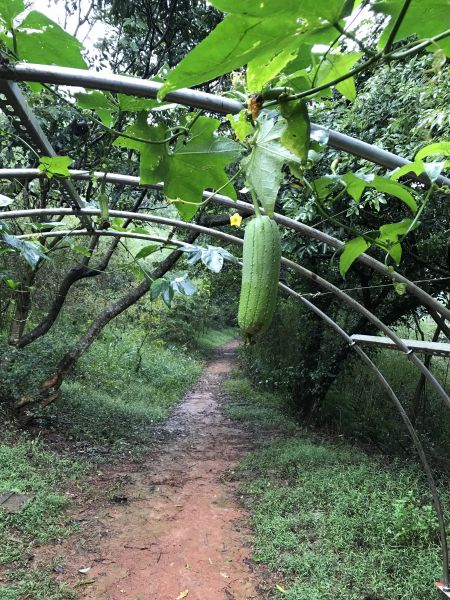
[(260, 274)]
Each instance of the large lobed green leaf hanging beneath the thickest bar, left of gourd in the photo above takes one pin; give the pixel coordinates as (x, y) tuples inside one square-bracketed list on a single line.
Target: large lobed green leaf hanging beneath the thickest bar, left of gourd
[(195, 164)]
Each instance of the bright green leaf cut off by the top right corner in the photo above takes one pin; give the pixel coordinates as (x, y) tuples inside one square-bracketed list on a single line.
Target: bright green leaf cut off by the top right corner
[(424, 19)]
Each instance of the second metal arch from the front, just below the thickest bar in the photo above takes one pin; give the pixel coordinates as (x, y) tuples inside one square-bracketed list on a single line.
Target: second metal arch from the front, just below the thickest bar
[(129, 180)]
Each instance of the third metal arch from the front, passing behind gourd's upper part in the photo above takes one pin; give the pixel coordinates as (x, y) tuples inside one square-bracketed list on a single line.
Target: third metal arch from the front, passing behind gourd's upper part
[(323, 283)]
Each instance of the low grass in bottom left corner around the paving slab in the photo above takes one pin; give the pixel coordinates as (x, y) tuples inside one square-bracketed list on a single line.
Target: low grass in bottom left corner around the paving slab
[(26, 467)]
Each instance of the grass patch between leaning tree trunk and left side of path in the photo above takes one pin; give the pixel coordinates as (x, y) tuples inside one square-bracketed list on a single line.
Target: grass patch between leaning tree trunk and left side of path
[(121, 390)]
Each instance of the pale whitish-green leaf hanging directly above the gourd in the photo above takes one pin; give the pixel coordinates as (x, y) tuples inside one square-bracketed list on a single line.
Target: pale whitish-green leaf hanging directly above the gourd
[(263, 166)]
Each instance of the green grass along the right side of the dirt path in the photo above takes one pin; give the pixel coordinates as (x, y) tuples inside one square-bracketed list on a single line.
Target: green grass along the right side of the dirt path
[(332, 522)]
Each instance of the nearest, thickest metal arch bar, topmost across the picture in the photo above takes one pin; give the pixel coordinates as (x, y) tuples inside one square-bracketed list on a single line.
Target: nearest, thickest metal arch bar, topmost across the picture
[(194, 98)]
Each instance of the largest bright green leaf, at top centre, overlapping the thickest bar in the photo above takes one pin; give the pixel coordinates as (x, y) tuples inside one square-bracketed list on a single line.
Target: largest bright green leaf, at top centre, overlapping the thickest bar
[(252, 30)]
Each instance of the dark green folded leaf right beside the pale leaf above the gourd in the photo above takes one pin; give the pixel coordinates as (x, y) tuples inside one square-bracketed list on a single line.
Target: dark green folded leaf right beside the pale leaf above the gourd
[(296, 135)]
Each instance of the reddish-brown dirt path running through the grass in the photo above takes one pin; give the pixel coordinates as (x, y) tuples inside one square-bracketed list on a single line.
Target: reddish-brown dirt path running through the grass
[(180, 529)]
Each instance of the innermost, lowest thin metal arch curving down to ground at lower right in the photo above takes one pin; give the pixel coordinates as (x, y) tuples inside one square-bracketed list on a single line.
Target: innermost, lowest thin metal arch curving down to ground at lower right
[(348, 339)]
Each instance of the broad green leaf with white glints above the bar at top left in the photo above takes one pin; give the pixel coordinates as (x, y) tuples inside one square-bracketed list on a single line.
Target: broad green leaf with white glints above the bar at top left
[(41, 40)]
